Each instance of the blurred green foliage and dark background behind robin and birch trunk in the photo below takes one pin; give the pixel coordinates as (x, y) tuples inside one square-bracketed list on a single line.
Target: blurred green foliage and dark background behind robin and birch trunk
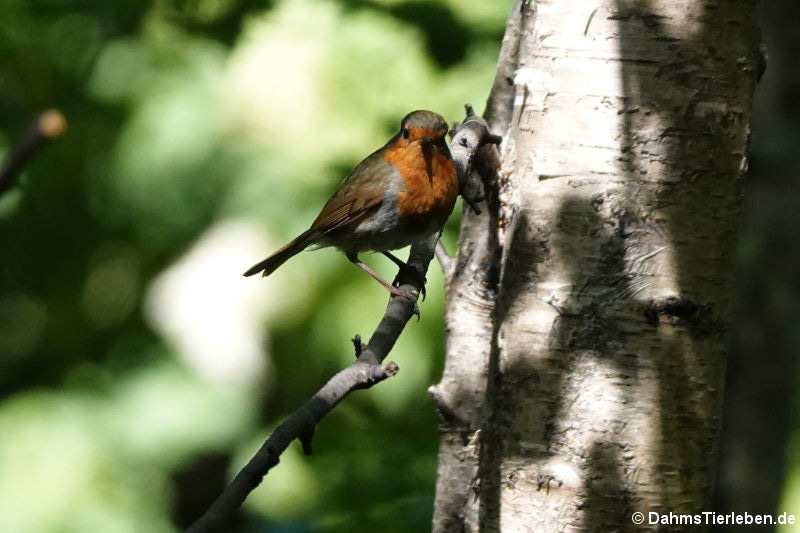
[(138, 369)]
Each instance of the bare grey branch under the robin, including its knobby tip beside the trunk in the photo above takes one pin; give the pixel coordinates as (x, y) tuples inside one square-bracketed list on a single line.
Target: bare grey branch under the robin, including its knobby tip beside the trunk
[(367, 370)]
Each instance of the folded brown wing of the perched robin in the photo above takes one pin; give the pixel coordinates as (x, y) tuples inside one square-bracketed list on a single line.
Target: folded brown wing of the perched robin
[(358, 194)]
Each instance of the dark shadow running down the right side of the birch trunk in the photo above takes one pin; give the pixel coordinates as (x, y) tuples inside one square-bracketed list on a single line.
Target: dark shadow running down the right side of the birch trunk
[(698, 210)]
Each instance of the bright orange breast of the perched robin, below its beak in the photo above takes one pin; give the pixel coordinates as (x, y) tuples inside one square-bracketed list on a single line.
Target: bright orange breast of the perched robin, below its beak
[(431, 184)]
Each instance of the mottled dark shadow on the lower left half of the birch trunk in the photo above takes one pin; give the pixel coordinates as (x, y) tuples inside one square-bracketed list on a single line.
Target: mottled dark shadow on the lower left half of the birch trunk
[(584, 341)]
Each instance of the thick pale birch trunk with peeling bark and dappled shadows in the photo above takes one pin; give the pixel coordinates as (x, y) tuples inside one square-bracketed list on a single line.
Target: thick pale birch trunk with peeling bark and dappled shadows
[(588, 307)]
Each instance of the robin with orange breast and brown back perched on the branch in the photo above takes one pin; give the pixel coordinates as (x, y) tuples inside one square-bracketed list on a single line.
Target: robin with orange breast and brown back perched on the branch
[(401, 193)]
